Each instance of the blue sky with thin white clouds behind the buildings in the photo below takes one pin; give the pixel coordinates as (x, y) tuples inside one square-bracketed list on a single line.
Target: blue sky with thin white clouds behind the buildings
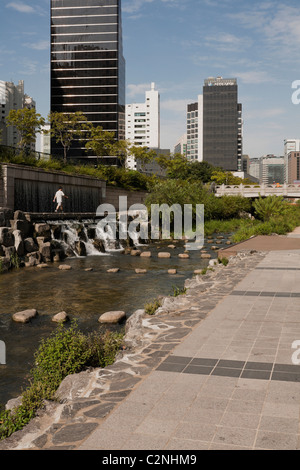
[(178, 44)]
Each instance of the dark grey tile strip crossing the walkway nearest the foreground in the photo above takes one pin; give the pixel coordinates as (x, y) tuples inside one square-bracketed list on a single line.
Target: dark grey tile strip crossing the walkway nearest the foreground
[(231, 368)]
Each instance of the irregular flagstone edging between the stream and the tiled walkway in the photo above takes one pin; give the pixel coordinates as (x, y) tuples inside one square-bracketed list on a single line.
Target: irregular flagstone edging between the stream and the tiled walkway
[(85, 399)]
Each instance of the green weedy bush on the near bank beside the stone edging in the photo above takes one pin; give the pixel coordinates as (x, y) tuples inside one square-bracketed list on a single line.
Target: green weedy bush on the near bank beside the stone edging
[(67, 351)]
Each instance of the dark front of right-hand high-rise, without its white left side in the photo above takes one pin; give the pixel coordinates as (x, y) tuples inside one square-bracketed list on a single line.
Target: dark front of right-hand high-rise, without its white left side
[(222, 123)]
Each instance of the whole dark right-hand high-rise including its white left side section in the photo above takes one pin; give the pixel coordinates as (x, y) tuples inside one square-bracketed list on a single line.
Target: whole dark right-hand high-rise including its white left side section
[(215, 125)]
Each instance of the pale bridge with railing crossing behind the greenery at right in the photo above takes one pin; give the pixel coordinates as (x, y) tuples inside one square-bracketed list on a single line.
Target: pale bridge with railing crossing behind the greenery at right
[(255, 190)]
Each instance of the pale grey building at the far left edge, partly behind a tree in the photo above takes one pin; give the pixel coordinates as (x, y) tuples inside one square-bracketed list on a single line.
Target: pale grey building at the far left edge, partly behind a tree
[(12, 97)]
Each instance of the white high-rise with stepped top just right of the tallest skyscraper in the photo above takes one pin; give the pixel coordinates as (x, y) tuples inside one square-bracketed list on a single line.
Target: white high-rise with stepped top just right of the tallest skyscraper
[(143, 122)]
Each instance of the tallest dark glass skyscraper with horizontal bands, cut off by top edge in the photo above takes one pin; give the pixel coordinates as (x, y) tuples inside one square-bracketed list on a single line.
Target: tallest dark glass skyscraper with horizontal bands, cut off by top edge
[(87, 65)]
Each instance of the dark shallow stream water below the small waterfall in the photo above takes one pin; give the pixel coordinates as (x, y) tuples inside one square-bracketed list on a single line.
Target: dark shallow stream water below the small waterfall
[(84, 295)]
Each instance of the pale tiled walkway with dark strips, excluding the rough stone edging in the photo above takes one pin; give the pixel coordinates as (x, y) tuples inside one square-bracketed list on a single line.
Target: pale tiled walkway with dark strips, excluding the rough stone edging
[(233, 383)]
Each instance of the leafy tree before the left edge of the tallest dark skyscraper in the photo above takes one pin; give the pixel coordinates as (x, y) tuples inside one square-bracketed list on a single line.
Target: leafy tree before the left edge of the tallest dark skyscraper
[(67, 127)]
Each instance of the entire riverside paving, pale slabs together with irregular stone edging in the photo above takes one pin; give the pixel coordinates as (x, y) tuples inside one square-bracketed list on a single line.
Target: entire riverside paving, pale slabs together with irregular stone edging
[(217, 369)]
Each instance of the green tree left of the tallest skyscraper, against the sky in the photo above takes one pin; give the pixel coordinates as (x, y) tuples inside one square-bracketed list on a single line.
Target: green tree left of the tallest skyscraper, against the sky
[(28, 123)]
